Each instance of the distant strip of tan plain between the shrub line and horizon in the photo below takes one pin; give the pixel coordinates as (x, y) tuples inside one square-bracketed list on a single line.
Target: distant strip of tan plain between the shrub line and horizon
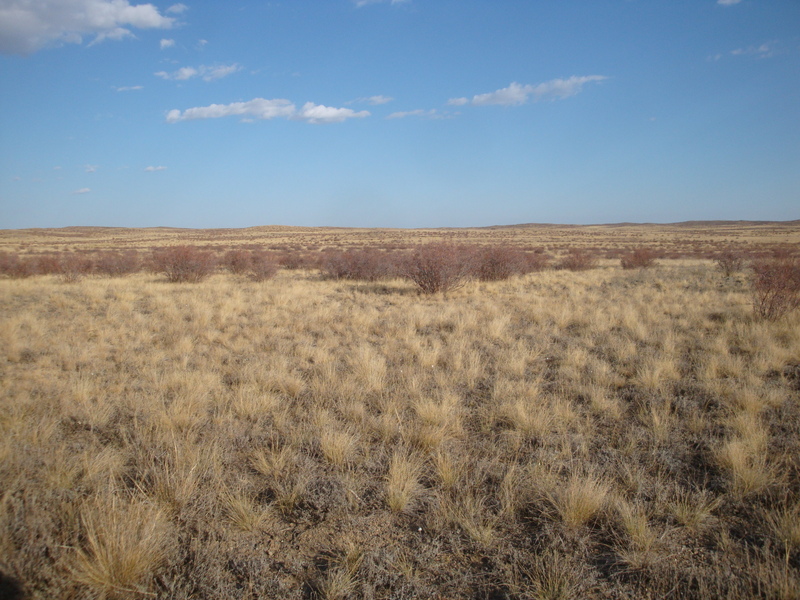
[(680, 238)]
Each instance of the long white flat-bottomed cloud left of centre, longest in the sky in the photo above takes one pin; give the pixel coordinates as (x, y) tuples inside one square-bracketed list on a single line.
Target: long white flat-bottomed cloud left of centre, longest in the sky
[(263, 109)]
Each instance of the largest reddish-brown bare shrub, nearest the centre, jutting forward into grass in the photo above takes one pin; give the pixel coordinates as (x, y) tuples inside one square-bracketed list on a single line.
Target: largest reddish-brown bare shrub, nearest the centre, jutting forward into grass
[(438, 267)]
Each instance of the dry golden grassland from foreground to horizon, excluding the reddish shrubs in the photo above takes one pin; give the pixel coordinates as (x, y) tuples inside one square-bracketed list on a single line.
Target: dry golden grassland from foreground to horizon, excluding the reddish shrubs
[(604, 433)]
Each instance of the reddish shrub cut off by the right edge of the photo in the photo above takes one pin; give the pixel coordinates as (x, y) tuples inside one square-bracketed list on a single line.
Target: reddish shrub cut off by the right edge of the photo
[(776, 287)]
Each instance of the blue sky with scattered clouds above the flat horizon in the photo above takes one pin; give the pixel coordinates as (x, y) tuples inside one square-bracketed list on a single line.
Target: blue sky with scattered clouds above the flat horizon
[(388, 113)]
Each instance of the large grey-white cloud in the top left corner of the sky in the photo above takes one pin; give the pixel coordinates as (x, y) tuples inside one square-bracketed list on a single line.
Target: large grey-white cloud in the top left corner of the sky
[(30, 25)]
